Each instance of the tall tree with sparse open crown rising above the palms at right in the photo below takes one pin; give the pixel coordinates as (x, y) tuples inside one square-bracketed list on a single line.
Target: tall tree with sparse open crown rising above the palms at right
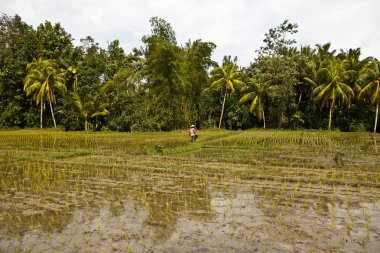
[(278, 69)]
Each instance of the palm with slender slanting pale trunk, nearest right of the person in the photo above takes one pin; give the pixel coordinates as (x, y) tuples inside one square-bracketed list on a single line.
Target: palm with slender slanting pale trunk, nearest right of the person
[(227, 78)]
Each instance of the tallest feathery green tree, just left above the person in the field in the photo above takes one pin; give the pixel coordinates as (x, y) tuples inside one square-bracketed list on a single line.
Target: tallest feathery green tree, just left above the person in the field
[(163, 75)]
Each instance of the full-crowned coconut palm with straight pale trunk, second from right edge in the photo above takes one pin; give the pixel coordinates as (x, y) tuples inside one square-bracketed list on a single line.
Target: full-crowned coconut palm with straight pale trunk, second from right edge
[(329, 86)]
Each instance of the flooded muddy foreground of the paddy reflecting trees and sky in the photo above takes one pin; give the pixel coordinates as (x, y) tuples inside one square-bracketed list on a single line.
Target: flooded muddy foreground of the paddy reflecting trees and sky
[(79, 209)]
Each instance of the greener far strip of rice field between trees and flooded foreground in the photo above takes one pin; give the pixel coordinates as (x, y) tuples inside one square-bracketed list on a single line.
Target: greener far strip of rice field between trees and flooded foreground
[(247, 154)]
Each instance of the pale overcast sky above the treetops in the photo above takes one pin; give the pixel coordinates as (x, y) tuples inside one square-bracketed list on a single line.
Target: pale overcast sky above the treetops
[(237, 27)]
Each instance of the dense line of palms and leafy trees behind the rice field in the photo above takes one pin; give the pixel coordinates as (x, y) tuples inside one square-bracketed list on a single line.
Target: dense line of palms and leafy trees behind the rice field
[(46, 81)]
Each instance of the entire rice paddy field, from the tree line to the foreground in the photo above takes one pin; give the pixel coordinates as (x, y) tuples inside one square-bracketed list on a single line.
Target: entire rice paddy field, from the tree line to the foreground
[(241, 191)]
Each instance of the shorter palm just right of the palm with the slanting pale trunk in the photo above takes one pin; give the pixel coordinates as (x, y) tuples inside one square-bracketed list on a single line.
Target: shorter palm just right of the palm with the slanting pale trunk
[(254, 93)]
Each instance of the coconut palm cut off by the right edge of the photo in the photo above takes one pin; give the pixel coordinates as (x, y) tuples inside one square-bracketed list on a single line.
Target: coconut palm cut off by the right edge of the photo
[(371, 78)]
